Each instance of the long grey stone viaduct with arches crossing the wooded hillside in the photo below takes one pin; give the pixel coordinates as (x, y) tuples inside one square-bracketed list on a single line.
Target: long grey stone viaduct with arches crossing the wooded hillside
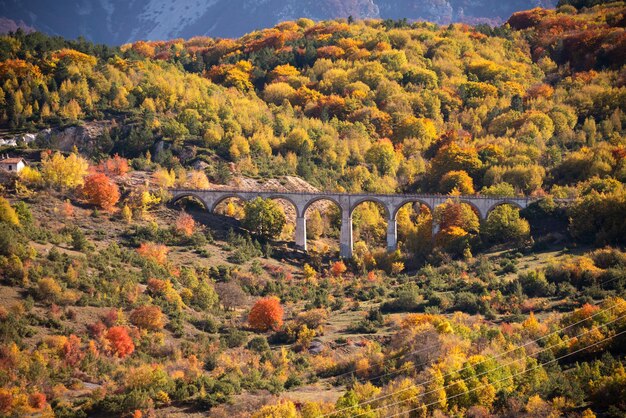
[(347, 203)]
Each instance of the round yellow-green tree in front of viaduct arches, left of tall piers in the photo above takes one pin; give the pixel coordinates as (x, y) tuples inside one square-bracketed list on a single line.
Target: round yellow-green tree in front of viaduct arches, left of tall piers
[(264, 217)]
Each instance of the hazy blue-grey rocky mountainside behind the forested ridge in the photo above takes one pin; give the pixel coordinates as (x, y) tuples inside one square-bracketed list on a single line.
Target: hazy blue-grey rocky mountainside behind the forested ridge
[(121, 21)]
